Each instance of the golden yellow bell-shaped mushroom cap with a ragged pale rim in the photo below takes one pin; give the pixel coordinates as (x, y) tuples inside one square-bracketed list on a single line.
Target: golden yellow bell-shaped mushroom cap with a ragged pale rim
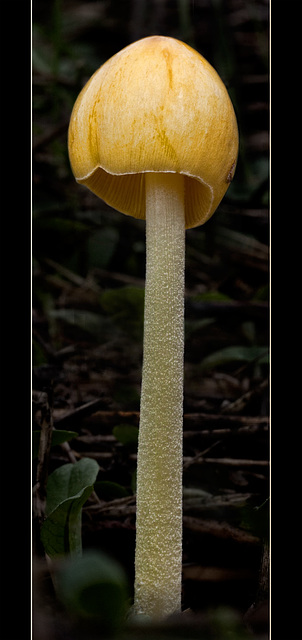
[(156, 106)]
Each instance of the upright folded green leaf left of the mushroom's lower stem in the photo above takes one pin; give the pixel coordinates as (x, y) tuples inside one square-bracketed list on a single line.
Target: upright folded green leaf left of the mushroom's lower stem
[(68, 489)]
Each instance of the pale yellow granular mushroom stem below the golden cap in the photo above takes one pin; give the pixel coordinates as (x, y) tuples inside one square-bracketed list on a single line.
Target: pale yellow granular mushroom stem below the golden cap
[(158, 559)]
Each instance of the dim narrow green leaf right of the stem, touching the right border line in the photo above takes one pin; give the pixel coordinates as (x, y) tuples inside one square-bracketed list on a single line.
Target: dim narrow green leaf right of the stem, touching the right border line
[(235, 354)]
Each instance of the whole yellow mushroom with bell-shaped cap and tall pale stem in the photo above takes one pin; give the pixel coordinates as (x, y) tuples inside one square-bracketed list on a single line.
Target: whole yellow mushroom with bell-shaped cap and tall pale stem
[(154, 134)]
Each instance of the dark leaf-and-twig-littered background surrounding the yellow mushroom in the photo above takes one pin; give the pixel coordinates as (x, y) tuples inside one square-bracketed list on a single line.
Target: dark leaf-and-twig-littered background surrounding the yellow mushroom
[(88, 279)]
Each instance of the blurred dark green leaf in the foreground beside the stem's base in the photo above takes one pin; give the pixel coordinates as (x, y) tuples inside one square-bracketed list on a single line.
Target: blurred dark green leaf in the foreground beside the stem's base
[(94, 588)]
